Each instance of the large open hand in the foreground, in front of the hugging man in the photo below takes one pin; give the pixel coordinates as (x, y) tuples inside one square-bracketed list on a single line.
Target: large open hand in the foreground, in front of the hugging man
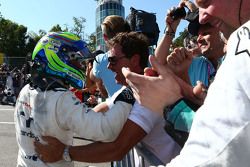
[(154, 92)]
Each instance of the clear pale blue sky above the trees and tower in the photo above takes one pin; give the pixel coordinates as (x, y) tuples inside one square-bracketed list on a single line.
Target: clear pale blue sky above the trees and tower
[(44, 14)]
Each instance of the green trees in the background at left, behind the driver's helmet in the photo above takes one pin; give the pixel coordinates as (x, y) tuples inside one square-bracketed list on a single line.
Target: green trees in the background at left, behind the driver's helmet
[(15, 41)]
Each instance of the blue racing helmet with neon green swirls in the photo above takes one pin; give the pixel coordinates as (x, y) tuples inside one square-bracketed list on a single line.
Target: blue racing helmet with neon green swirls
[(60, 55)]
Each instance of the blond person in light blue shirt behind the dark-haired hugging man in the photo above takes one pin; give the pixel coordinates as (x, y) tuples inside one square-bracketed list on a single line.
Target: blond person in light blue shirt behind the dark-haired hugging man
[(111, 25)]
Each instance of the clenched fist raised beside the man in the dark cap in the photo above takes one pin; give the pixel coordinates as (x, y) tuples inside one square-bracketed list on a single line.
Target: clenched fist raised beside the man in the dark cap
[(179, 61)]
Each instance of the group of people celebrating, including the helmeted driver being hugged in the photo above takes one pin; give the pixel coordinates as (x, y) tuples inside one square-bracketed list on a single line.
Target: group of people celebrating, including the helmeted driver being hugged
[(189, 108)]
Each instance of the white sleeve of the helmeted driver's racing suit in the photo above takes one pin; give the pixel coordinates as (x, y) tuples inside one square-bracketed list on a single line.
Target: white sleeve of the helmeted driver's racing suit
[(73, 115)]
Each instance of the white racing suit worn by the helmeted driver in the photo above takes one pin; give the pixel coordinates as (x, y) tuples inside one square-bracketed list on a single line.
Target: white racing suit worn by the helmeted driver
[(60, 114)]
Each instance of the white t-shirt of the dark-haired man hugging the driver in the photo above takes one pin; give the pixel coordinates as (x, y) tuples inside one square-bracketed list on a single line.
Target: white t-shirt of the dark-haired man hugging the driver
[(157, 140)]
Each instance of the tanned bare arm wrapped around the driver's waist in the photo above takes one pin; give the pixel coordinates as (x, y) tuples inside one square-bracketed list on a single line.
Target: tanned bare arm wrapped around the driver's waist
[(130, 135)]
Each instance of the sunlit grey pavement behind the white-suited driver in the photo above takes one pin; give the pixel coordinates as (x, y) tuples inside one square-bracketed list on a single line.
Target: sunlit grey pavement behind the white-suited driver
[(8, 145)]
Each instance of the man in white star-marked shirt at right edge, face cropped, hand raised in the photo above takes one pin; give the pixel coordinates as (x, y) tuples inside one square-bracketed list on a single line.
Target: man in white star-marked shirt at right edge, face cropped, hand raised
[(220, 132)]
